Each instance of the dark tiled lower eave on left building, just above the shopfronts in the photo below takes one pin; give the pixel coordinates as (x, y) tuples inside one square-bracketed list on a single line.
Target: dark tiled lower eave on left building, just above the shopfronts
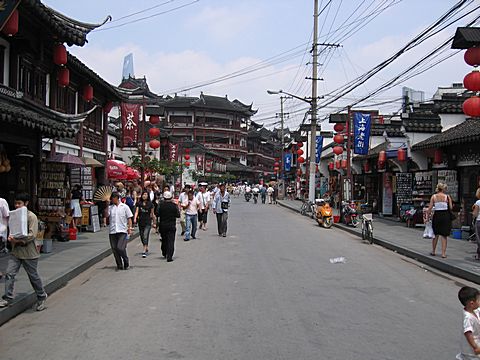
[(15, 112)]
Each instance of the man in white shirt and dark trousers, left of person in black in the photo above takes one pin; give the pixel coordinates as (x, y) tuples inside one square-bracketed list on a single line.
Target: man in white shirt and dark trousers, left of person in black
[(120, 227)]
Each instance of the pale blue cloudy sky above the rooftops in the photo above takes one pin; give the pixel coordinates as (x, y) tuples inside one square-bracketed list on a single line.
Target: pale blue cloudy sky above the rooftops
[(181, 45)]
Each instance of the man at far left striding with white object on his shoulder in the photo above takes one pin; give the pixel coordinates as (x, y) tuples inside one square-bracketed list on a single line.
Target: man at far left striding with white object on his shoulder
[(24, 253)]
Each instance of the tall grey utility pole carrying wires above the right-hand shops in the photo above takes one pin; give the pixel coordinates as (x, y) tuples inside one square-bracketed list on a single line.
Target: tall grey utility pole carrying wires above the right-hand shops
[(313, 135)]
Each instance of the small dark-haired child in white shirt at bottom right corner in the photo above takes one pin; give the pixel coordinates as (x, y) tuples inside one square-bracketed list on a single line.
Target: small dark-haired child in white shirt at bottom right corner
[(470, 345)]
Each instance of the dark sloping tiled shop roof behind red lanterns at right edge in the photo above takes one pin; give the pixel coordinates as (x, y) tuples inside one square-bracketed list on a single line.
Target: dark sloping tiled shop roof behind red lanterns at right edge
[(465, 132)]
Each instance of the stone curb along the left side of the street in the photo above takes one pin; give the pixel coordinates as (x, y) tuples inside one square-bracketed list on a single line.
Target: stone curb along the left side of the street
[(27, 301)]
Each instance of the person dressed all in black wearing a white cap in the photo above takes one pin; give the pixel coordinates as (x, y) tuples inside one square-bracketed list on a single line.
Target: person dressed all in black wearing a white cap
[(168, 213)]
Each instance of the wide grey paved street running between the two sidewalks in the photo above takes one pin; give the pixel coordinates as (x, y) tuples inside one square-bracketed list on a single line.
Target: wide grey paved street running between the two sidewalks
[(266, 291)]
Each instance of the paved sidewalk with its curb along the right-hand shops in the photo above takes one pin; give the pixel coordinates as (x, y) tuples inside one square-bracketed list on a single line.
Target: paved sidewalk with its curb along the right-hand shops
[(409, 242)]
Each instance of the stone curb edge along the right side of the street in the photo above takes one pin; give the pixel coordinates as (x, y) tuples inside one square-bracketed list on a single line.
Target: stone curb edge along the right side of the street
[(425, 259)]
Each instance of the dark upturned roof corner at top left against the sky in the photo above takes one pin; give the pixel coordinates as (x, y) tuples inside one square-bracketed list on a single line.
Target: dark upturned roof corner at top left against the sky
[(64, 28)]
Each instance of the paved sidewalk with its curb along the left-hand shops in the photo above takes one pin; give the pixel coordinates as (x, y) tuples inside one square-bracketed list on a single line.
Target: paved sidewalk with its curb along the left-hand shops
[(67, 260)]
